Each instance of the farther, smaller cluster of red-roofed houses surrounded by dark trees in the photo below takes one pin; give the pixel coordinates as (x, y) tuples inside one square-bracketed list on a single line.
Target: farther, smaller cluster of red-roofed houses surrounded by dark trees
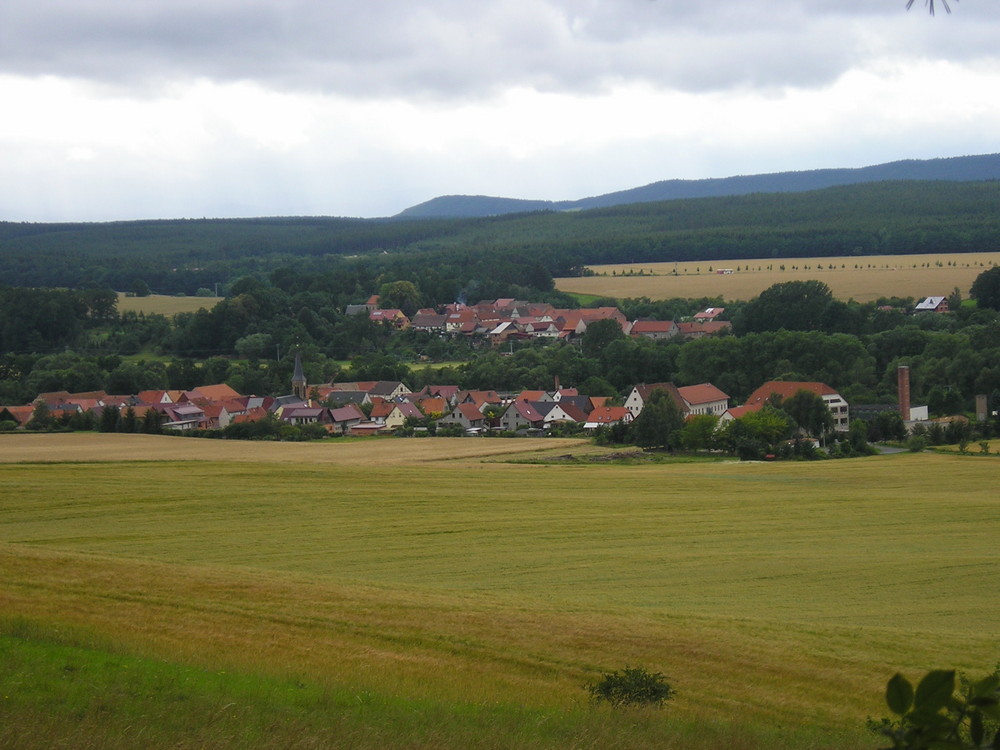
[(501, 320)]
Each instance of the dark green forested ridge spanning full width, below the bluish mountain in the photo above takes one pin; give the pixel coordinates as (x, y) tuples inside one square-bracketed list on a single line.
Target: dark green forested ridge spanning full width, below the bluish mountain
[(452, 255)]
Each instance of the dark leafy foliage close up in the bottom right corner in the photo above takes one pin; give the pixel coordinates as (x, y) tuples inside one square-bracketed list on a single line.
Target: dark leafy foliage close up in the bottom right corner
[(935, 716)]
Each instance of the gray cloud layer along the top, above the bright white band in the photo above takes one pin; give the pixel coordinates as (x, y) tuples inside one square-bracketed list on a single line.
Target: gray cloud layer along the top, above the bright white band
[(454, 48)]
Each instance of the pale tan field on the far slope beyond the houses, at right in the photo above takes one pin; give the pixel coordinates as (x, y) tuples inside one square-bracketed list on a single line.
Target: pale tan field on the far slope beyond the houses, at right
[(863, 278)]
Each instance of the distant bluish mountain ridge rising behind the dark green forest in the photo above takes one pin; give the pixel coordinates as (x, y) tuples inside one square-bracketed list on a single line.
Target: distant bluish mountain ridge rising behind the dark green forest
[(956, 169)]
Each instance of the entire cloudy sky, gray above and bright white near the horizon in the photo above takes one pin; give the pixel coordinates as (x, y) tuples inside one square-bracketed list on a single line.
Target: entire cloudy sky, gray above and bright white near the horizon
[(144, 109)]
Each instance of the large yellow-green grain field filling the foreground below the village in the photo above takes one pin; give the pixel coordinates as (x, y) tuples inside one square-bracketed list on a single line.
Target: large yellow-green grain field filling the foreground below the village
[(427, 593)]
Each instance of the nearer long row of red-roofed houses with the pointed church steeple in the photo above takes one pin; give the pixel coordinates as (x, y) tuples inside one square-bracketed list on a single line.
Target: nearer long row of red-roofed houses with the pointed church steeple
[(379, 407)]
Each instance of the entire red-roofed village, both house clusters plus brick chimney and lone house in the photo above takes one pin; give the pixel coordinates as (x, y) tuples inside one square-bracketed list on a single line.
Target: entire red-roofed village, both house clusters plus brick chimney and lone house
[(369, 408)]
